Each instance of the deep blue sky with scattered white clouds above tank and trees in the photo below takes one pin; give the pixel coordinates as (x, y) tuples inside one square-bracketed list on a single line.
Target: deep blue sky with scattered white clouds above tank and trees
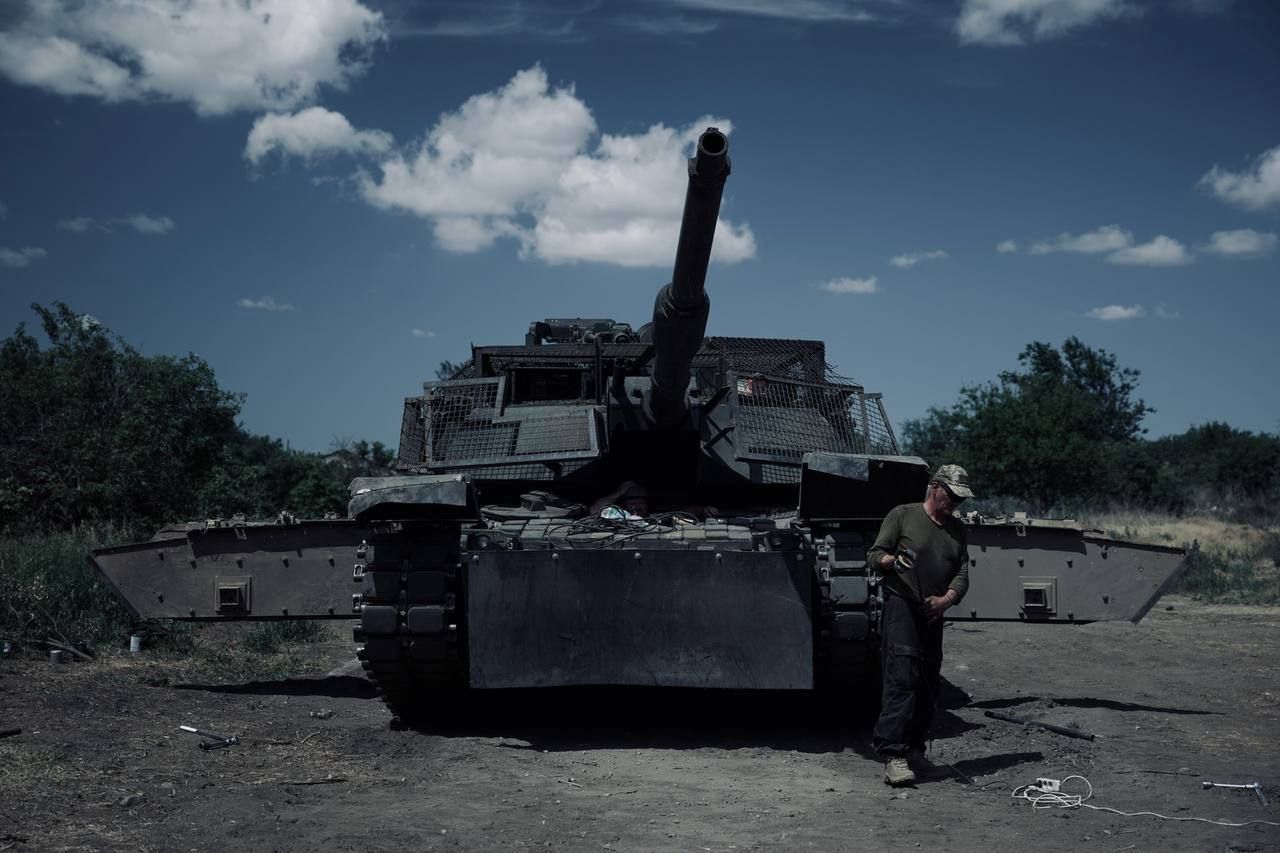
[(324, 199)]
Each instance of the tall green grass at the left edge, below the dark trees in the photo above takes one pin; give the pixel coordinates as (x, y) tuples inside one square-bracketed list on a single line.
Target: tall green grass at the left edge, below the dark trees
[(51, 590)]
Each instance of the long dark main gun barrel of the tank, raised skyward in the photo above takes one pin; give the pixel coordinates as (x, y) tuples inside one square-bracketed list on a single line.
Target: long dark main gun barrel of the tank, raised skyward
[(682, 309)]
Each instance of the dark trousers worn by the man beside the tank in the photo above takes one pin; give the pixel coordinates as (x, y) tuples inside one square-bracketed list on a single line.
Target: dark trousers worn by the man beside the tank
[(912, 674)]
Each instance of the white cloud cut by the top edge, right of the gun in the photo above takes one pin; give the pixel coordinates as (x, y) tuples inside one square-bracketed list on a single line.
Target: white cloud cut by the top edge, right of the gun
[(1016, 22)]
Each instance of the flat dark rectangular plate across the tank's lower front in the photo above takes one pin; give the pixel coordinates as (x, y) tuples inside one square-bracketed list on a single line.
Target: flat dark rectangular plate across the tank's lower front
[(738, 621)]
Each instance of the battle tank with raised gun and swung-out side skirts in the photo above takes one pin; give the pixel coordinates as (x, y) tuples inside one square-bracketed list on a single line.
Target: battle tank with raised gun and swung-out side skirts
[(497, 558)]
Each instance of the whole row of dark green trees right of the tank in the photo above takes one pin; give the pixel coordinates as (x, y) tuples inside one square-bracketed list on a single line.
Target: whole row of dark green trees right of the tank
[(1064, 432)]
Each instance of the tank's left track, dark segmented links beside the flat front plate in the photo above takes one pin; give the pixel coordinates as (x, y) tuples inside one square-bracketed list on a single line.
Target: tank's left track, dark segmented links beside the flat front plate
[(410, 624)]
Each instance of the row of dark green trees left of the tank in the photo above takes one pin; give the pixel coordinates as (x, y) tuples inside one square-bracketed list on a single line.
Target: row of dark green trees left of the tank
[(94, 432)]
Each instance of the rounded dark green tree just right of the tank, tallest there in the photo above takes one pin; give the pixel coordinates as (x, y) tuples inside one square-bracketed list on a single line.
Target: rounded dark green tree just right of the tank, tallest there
[(1060, 428)]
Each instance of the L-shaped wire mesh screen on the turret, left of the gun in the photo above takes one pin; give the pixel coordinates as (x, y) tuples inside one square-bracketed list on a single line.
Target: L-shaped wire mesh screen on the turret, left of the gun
[(465, 426)]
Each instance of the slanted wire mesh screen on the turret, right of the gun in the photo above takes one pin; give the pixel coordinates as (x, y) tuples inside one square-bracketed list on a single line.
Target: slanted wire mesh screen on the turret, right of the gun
[(780, 421)]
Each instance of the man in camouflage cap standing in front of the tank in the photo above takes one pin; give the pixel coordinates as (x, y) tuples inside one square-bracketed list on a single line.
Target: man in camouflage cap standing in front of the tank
[(922, 551)]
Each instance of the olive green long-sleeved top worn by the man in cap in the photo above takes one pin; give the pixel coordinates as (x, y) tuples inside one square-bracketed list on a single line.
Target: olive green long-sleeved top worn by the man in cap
[(941, 553)]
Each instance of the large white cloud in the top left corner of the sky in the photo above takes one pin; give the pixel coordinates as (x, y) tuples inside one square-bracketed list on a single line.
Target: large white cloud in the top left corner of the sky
[(214, 54)]
